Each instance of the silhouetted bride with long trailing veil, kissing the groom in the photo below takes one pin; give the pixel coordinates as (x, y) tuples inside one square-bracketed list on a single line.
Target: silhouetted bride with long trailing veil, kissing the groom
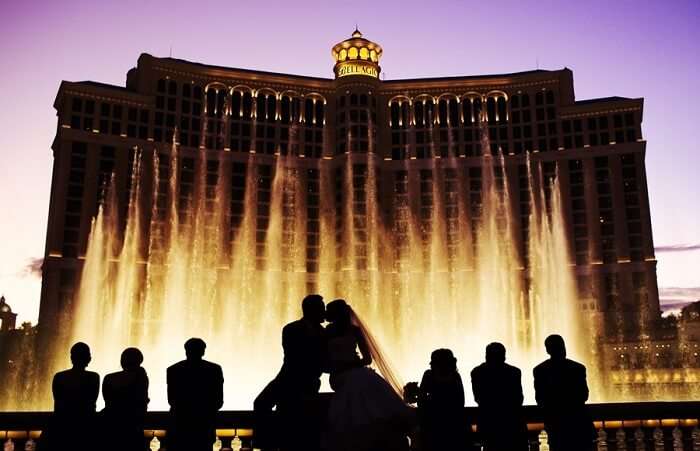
[(367, 412)]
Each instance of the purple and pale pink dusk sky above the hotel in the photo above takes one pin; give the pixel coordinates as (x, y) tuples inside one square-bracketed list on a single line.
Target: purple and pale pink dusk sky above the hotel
[(626, 48)]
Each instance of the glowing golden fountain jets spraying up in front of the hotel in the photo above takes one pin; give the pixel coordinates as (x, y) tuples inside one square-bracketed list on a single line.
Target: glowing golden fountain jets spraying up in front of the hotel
[(217, 248)]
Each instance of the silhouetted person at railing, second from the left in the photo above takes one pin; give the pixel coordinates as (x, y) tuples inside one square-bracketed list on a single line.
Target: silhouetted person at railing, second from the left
[(126, 399)]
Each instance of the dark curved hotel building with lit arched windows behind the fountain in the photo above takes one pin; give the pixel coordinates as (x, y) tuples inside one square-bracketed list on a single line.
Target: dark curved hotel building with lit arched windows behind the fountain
[(405, 128)]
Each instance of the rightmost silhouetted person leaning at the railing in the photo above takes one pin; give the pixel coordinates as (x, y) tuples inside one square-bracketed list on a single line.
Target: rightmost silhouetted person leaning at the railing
[(561, 390)]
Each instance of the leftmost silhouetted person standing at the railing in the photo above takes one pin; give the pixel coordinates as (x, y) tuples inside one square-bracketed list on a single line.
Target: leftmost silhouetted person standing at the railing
[(75, 394)]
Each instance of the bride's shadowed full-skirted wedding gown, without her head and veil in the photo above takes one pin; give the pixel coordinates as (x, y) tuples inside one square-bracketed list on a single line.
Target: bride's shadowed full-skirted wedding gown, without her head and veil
[(365, 412)]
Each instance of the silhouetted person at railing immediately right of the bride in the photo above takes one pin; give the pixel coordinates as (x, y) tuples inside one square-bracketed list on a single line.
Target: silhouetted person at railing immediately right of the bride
[(441, 405)]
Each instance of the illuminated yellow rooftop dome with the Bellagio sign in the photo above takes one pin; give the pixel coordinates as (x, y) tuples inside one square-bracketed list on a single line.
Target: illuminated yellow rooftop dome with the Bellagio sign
[(357, 56)]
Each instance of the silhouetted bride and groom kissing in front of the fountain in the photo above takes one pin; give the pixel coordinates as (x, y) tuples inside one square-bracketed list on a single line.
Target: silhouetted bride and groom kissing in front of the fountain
[(366, 411)]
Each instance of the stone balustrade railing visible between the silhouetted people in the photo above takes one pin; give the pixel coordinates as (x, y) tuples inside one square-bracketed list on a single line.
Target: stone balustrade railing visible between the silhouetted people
[(662, 426)]
